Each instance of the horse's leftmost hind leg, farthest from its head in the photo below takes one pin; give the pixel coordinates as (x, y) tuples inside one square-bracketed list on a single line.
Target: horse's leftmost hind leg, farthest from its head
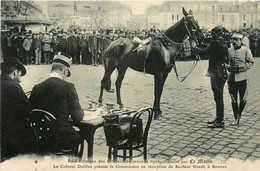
[(105, 83)]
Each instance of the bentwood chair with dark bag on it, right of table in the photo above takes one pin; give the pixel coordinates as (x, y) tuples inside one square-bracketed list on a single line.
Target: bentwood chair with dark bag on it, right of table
[(135, 141)]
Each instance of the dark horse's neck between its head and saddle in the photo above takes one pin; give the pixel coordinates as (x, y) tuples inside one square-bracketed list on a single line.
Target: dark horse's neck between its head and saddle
[(177, 31)]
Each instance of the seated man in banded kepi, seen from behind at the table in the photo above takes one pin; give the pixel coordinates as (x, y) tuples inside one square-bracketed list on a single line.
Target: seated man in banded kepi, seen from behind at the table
[(60, 98)]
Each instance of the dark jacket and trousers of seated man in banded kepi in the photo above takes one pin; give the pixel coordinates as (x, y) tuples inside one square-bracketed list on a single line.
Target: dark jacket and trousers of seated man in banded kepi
[(60, 99)]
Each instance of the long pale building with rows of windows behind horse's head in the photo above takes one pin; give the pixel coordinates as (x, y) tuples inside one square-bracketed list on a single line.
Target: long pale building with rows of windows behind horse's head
[(230, 14)]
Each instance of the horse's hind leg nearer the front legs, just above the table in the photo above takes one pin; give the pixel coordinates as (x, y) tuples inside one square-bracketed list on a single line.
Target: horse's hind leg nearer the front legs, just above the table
[(120, 77)]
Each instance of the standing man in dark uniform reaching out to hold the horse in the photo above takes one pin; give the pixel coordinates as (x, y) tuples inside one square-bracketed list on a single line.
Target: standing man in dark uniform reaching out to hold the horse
[(217, 52)]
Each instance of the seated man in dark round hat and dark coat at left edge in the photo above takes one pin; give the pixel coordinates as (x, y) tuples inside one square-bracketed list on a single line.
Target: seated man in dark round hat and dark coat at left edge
[(17, 136)]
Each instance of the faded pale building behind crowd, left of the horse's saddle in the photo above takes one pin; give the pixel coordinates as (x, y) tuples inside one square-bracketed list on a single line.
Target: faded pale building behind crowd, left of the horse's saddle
[(89, 15)]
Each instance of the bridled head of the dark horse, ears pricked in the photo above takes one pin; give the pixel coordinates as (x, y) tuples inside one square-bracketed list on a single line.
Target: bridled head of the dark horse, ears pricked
[(192, 25)]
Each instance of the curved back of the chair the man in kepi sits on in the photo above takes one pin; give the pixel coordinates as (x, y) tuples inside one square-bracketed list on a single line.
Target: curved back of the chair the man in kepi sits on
[(45, 129)]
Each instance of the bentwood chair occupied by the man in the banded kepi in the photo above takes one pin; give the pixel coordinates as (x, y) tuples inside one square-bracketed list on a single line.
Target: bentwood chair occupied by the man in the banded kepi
[(45, 129)]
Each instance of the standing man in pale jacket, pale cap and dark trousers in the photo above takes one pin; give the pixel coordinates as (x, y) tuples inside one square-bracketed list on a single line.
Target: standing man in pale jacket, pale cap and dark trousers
[(240, 60)]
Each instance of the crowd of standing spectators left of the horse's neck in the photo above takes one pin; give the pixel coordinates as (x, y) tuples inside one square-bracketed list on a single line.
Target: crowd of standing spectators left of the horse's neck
[(84, 48)]
